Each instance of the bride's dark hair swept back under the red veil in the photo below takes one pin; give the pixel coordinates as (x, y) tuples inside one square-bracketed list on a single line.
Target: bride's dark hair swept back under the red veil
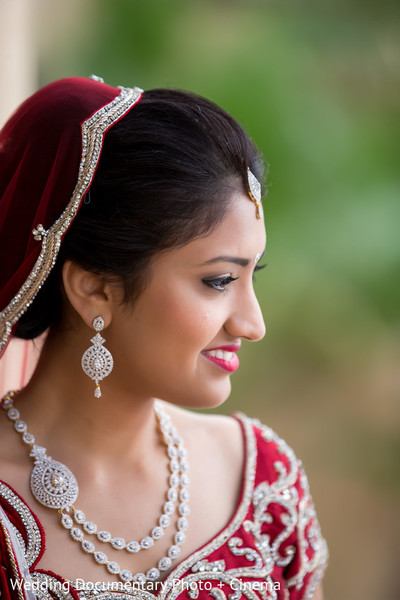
[(165, 176)]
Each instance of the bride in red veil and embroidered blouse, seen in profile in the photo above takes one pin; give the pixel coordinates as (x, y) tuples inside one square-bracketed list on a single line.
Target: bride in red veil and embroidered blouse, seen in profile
[(131, 227)]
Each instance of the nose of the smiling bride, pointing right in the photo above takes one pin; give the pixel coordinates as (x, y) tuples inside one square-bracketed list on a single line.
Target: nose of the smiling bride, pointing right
[(246, 320)]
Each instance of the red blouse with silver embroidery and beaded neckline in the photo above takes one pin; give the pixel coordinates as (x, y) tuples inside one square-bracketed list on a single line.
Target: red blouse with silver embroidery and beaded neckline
[(271, 548)]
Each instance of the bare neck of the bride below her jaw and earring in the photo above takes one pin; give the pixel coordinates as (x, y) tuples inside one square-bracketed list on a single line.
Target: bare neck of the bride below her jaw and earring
[(62, 412)]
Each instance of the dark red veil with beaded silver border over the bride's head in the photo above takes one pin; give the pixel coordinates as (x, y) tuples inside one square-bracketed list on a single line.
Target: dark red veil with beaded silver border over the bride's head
[(49, 151)]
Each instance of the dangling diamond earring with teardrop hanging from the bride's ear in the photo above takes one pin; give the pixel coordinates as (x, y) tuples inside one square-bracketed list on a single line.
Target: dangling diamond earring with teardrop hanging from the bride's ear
[(97, 362)]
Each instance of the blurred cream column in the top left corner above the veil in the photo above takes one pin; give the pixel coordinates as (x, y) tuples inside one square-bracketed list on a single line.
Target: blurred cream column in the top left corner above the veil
[(18, 53)]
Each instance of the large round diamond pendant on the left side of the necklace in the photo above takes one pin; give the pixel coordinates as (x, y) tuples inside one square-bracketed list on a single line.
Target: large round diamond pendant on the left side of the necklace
[(52, 483)]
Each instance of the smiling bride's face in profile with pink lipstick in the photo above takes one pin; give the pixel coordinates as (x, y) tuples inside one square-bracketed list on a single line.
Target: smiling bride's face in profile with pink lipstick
[(179, 340)]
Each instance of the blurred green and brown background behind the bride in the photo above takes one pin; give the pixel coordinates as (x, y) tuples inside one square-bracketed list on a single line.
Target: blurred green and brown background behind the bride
[(316, 84)]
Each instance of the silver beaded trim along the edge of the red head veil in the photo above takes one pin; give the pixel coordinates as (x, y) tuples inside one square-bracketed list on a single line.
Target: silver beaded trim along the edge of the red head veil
[(93, 130)]
